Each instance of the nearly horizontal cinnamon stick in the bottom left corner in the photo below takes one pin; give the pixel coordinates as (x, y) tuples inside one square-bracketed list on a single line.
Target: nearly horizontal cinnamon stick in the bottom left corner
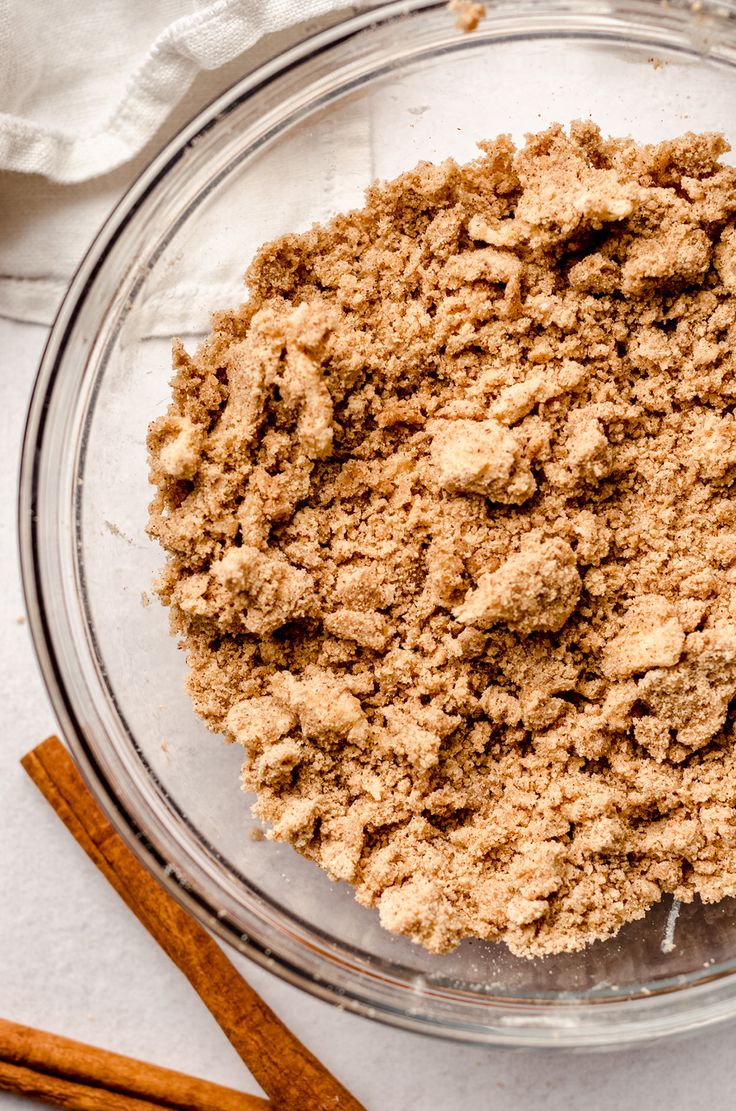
[(69, 1074)]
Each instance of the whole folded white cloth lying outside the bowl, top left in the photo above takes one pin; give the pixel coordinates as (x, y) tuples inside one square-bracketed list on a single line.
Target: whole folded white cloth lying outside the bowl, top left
[(88, 94)]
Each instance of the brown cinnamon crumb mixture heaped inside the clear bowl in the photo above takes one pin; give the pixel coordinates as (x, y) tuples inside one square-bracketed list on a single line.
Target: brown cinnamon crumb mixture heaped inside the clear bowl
[(452, 542)]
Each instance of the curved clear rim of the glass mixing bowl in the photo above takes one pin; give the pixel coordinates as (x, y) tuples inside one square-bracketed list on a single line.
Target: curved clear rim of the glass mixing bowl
[(712, 997)]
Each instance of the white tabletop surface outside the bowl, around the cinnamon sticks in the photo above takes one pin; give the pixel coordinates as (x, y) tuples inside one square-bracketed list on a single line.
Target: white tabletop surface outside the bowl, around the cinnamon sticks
[(74, 960)]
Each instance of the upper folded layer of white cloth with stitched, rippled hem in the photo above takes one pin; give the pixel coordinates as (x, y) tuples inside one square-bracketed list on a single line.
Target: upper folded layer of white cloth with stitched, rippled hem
[(89, 85)]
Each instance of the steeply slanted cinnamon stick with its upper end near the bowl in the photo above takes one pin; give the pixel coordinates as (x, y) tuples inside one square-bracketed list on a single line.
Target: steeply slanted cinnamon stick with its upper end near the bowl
[(291, 1076)]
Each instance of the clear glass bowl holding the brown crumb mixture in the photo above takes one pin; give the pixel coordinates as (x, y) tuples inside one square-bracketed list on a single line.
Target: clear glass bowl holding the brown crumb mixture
[(295, 143)]
